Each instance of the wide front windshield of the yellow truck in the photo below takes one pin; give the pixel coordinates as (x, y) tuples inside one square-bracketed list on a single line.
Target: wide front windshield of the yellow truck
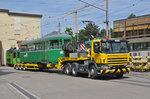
[(114, 47)]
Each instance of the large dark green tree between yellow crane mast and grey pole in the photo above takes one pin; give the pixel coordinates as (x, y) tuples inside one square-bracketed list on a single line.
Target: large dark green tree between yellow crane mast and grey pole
[(90, 30)]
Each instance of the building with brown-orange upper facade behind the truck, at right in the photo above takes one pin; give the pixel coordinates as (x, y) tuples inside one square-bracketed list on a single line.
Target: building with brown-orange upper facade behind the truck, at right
[(137, 31)]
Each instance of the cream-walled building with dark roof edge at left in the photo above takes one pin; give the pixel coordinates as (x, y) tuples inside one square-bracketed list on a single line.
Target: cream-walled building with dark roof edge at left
[(15, 28)]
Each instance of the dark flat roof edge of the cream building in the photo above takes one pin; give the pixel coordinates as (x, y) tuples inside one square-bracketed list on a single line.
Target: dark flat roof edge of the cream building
[(20, 14)]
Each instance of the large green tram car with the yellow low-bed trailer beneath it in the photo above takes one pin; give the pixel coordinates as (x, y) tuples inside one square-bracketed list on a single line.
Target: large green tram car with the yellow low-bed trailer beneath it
[(42, 51)]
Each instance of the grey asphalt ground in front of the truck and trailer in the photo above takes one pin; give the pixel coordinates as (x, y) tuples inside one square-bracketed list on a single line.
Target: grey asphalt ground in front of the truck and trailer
[(15, 84)]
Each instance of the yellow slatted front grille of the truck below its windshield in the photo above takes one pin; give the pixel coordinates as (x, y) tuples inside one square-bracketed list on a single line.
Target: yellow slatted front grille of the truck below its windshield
[(114, 60)]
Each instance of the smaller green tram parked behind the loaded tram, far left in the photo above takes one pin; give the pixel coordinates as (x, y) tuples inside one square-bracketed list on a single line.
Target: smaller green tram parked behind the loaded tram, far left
[(12, 56)]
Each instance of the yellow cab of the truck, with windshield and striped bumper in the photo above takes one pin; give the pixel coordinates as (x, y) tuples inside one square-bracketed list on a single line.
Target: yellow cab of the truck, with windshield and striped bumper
[(110, 56)]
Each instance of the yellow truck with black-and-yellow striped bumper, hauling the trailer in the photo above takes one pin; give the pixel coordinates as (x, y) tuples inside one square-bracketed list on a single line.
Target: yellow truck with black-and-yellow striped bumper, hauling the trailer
[(107, 57)]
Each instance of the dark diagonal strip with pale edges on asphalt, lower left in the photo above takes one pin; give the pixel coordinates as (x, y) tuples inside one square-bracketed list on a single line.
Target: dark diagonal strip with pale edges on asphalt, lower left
[(23, 92)]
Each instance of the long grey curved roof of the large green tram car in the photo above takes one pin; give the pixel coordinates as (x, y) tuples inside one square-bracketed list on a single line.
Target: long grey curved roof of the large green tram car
[(47, 37)]
